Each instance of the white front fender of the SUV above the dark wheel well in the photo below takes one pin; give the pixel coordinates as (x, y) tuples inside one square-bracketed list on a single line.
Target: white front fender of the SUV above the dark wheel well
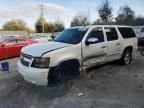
[(64, 54)]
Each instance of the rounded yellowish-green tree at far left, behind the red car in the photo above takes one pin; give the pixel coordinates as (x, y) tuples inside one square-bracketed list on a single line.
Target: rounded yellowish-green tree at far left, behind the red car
[(16, 25)]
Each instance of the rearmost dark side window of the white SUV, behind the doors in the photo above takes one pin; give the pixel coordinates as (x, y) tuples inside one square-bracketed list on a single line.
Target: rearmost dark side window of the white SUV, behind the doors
[(127, 32)]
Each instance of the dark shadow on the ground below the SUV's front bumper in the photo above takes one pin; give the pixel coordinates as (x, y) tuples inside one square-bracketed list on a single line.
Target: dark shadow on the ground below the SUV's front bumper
[(41, 91)]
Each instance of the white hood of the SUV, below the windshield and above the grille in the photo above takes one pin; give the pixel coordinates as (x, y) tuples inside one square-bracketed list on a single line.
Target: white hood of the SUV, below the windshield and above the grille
[(37, 50)]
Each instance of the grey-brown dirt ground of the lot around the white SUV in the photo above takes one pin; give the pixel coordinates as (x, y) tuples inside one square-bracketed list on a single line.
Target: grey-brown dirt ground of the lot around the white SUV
[(110, 86)]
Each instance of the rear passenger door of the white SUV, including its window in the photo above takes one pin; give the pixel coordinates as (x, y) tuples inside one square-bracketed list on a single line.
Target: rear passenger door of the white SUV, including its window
[(113, 43)]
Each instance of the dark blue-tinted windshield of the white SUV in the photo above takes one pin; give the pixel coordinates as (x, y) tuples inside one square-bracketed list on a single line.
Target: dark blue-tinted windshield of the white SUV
[(72, 36)]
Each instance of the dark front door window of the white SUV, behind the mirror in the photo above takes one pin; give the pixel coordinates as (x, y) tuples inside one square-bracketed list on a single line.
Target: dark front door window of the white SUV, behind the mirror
[(97, 33)]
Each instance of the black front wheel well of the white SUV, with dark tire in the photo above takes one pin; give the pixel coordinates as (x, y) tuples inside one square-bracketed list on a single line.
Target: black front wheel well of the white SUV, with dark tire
[(63, 73)]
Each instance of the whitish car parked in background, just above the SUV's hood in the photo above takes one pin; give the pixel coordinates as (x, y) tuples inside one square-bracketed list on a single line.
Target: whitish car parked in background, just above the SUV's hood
[(41, 38)]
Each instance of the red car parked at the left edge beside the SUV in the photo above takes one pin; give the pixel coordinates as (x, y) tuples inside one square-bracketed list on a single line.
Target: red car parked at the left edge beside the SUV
[(11, 47)]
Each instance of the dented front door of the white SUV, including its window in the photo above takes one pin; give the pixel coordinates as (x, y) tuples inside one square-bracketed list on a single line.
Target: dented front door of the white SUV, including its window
[(94, 52)]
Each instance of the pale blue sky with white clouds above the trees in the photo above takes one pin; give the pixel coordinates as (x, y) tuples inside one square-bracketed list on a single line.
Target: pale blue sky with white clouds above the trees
[(29, 10)]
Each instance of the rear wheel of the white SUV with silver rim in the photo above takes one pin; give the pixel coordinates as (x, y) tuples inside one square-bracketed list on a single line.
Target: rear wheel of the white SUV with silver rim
[(126, 58)]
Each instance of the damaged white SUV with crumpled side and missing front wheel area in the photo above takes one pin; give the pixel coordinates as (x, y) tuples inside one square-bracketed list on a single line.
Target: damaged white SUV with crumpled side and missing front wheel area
[(75, 49)]
